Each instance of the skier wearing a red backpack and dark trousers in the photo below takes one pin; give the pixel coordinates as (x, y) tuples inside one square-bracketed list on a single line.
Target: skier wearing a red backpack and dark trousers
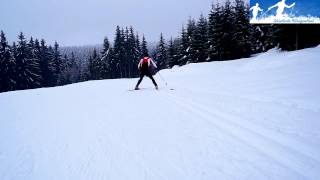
[(145, 66)]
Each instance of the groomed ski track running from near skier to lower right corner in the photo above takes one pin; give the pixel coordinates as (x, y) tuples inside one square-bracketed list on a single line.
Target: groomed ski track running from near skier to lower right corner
[(292, 156)]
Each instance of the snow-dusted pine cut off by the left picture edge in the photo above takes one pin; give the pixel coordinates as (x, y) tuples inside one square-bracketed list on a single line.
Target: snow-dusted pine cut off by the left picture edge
[(7, 66)]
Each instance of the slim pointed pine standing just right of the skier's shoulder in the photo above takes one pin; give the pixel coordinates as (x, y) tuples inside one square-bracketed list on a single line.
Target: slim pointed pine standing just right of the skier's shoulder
[(161, 54)]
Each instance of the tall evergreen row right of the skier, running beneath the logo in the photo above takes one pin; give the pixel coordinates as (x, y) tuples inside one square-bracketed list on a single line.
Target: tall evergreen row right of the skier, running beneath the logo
[(227, 34)]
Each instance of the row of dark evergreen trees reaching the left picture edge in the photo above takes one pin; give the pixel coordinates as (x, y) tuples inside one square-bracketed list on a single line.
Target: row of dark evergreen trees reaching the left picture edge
[(33, 64)]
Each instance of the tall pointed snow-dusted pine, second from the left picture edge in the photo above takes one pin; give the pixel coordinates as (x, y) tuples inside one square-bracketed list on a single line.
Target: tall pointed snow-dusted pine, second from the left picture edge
[(26, 66)]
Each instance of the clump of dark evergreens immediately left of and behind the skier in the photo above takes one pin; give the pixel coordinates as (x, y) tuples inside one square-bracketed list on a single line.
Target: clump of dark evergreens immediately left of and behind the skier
[(119, 61)]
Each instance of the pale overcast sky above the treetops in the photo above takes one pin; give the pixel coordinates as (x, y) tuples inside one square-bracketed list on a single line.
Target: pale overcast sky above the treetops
[(87, 22)]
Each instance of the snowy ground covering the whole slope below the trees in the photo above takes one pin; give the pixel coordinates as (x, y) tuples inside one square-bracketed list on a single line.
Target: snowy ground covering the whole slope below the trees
[(255, 118)]
